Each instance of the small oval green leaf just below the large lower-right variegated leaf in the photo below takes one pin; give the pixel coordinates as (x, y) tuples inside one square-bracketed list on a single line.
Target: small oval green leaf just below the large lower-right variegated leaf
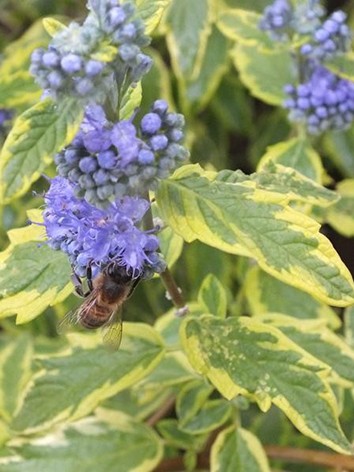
[(211, 416)]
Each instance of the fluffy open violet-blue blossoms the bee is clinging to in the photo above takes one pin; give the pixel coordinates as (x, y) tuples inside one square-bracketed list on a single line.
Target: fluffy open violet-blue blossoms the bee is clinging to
[(96, 237)]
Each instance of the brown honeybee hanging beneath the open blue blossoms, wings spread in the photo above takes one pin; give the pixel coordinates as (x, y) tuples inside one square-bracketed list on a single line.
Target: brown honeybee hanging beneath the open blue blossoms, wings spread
[(102, 302)]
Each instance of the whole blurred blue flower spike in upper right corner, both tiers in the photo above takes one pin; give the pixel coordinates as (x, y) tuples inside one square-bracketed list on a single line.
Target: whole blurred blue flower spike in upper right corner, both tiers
[(322, 100)]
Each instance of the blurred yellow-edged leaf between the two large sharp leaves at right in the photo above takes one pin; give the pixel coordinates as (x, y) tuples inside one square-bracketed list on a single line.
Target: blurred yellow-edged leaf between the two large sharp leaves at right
[(265, 294)]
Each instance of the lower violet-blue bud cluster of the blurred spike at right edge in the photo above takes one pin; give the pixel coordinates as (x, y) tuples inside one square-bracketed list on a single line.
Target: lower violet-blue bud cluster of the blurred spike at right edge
[(324, 102)]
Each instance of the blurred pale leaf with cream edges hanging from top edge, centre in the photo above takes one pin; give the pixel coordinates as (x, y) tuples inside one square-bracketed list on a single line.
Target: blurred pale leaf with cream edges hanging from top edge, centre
[(188, 25)]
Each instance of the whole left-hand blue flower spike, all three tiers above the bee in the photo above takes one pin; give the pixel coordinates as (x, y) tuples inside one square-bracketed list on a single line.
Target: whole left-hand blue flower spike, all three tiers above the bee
[(94, 208)]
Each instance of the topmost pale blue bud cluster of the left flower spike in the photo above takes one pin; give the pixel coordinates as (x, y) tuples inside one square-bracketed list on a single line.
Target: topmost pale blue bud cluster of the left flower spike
[(86, 61)]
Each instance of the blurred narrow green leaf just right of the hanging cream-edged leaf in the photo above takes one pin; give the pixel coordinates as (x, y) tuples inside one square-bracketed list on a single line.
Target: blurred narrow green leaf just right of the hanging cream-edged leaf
[(201, 88)]
